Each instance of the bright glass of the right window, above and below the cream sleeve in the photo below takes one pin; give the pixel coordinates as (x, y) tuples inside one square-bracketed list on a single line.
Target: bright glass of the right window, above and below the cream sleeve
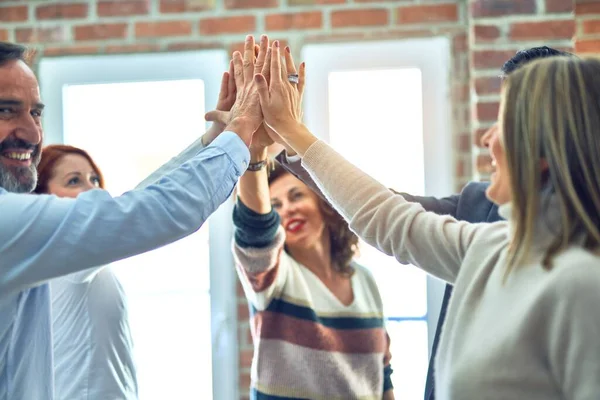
[(376, 121)]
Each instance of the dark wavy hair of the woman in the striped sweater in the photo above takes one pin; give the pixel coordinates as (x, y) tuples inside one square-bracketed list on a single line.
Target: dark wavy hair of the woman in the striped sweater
[(344, 243)]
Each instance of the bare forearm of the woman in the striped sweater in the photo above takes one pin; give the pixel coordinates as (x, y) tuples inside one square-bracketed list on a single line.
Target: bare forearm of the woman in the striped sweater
[(253, 187)]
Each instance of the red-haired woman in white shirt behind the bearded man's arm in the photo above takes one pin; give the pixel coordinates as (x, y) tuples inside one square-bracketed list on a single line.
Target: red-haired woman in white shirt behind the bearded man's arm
[(91, 338)]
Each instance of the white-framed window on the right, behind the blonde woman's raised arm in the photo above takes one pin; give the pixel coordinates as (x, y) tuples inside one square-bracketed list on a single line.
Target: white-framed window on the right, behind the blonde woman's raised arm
[(367, 100)]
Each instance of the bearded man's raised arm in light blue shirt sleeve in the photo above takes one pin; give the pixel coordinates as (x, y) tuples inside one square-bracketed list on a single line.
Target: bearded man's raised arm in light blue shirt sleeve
[(70, 235)]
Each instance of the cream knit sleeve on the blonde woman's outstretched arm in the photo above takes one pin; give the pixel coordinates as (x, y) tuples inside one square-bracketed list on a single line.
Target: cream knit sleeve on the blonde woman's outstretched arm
[(437, 244)]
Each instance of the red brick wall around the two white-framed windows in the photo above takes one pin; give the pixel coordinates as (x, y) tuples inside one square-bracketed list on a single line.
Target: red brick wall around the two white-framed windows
[(484, 33)]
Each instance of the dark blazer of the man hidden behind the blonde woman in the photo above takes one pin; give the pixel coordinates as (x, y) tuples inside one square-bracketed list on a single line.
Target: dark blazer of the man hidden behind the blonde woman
[(470, 205)]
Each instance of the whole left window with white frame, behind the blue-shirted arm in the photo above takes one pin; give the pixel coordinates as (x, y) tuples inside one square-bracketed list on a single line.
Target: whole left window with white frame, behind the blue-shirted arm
[(133, 114)]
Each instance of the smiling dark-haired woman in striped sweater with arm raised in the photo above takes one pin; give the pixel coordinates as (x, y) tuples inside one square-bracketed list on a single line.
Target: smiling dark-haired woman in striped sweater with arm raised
[(316, 316)]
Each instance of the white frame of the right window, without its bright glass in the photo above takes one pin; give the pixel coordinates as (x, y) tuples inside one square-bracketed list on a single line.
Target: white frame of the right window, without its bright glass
[(432, 57)]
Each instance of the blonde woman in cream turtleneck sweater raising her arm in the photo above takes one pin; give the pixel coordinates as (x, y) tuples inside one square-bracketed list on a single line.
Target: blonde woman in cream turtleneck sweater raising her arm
[(523, 322)]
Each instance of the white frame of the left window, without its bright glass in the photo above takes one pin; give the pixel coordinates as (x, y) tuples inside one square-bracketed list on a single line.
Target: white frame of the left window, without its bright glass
[(208, 65)]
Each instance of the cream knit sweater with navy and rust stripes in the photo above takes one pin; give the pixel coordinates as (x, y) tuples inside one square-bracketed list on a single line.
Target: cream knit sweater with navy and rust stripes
[(307, 344)]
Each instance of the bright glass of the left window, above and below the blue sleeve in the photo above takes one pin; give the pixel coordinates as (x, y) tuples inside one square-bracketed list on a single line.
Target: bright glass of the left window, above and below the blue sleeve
[(167, 289)]
